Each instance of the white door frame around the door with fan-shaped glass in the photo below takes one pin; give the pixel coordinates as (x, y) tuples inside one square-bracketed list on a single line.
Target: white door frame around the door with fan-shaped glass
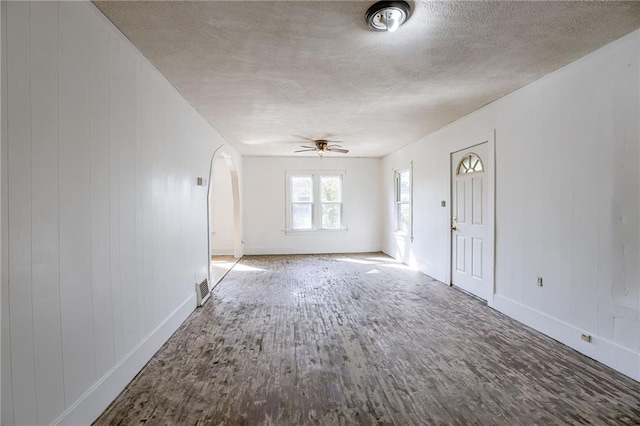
[(490, 173)]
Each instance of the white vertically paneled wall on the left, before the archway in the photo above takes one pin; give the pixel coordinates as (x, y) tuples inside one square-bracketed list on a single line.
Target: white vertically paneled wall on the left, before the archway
[(107, 230)]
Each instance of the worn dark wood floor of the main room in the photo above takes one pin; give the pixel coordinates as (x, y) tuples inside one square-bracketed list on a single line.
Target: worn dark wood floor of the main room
[(361, 339)]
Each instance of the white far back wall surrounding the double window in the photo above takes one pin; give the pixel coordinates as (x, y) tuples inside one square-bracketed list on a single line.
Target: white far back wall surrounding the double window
[(264, 189)]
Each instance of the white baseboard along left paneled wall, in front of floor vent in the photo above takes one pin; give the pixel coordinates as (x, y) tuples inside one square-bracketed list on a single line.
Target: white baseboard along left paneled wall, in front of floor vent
[(90, 405)]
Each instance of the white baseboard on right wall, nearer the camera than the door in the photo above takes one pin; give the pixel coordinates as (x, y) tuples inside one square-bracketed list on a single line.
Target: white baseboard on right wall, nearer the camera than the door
[(605, 351)]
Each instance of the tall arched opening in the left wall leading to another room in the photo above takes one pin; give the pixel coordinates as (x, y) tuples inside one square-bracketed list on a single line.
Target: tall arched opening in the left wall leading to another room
[(225, 242)]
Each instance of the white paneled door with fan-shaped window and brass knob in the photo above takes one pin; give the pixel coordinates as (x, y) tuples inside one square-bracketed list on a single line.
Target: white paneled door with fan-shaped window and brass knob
[(471, 241)]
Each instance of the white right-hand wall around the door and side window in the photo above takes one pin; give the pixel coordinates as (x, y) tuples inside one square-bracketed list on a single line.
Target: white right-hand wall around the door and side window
[(567, 202)]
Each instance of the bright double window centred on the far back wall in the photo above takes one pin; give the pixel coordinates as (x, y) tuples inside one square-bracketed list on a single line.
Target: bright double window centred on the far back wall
[(314, 201)]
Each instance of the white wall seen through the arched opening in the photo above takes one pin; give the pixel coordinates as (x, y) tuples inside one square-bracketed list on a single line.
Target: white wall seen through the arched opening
[(221, 207)]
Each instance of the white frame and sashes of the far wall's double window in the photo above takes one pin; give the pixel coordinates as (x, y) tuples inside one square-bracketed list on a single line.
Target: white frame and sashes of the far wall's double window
[(316, 203)]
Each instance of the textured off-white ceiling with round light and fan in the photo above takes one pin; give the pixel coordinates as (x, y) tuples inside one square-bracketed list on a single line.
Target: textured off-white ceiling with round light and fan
[(265, 72)]
